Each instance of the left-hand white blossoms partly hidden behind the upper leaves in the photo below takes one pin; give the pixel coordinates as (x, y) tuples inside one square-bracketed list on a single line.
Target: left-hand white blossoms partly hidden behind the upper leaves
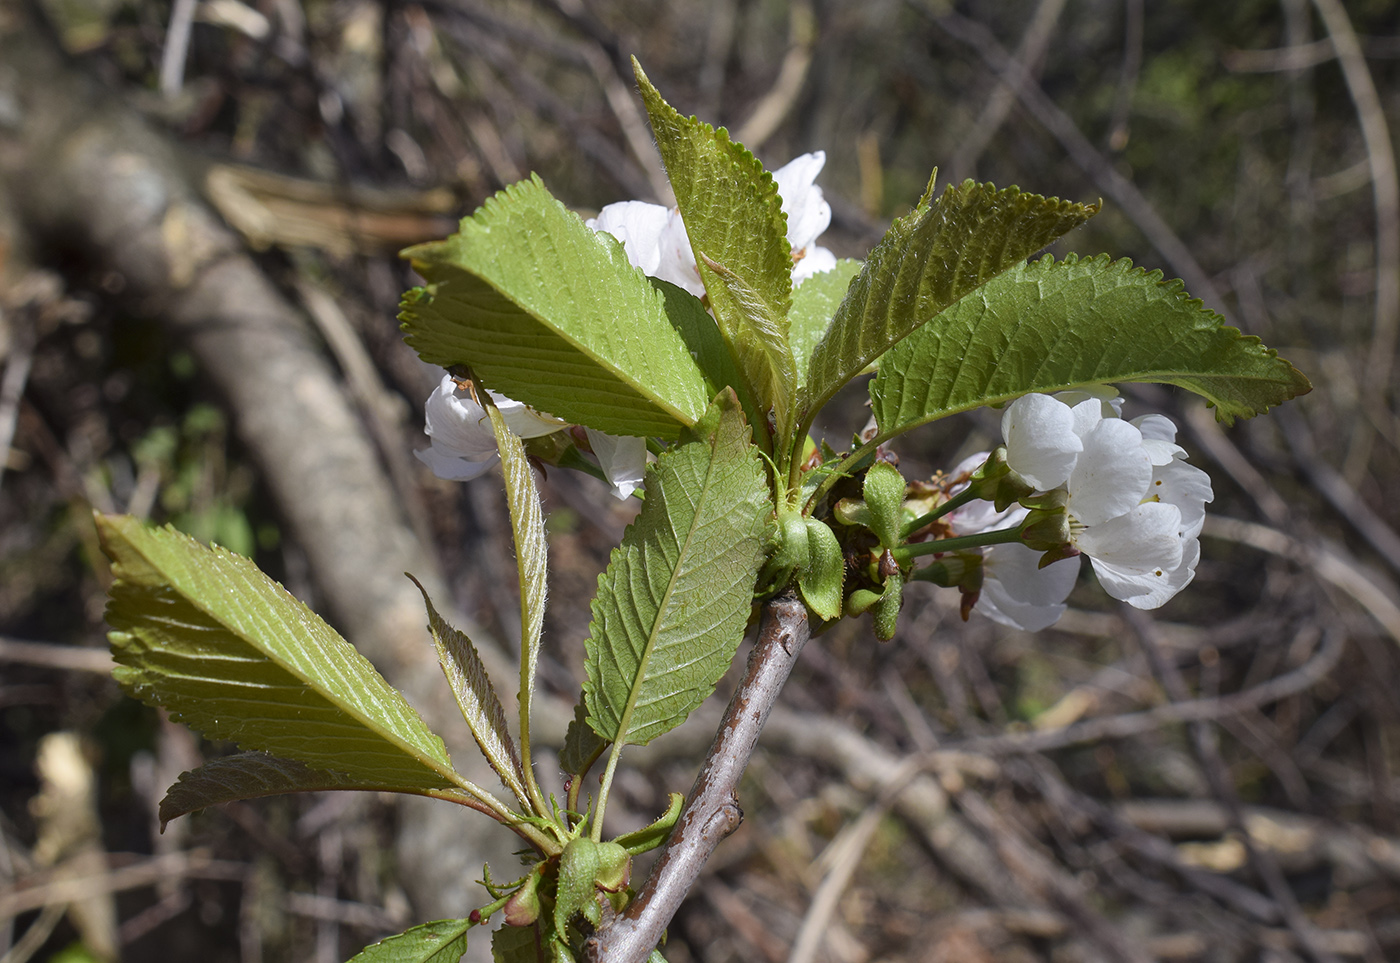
[(656, 241)]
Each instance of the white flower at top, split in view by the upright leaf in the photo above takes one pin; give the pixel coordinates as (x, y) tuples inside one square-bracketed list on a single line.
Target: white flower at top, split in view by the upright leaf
[(656, 239)]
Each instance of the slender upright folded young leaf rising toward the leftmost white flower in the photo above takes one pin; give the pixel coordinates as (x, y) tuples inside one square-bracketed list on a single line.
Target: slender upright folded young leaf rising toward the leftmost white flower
[(533, 565)]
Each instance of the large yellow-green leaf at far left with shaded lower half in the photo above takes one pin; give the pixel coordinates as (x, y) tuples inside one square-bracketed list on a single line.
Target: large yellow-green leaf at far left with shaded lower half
[(233, 654)]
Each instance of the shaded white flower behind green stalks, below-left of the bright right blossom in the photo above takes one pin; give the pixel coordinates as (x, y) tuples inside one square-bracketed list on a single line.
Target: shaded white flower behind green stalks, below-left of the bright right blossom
[(1016, 590)]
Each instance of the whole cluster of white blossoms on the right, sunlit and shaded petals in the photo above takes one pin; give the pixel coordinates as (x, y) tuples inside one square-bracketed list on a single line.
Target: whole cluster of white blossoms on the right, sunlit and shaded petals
[(1135, 507)]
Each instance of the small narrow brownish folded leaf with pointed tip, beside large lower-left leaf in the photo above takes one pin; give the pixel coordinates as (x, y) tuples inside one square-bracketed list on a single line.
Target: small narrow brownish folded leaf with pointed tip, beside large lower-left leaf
[(475, 696)]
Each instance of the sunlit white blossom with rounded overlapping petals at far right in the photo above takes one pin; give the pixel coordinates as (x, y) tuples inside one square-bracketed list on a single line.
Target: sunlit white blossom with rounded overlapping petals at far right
[(1136, 507)]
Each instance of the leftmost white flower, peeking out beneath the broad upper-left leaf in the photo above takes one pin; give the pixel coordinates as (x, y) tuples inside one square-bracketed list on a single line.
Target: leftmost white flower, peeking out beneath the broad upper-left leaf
[(464, 446)]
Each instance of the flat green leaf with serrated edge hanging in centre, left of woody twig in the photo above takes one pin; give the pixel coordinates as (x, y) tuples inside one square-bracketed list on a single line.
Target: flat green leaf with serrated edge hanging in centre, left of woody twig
[(674, 603)]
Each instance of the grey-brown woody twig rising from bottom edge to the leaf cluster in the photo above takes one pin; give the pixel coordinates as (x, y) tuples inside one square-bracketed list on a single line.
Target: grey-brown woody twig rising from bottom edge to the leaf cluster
[(713, 810)]
